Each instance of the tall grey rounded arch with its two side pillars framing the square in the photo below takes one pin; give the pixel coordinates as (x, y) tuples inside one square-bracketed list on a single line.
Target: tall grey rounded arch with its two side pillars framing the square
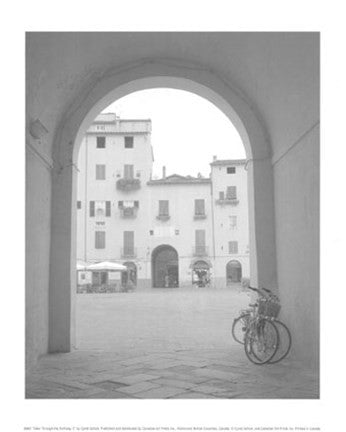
[(98, 93)]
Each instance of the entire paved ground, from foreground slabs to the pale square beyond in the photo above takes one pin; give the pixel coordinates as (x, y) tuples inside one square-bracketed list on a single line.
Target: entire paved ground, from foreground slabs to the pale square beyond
[(163, 345)]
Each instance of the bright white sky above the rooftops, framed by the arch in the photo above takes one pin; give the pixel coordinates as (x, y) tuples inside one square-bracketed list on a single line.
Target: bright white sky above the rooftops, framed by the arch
[(187, 130)]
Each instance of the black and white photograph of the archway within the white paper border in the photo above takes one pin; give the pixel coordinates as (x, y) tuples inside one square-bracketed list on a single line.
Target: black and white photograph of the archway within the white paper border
[(172, 247)]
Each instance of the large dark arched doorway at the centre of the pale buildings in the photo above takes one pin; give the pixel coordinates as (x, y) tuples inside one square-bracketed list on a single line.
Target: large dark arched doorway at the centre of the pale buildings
[(165, 267)]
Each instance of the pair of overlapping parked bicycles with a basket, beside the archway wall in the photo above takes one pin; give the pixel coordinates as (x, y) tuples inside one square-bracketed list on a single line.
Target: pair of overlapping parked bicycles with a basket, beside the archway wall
[(264, 311)]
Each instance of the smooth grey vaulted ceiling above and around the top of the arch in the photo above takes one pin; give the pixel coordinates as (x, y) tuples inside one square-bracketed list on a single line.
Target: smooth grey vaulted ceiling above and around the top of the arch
[(277, 72)]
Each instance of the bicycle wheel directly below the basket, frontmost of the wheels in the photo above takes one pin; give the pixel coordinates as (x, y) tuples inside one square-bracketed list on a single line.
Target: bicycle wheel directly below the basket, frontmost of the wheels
[(261, 341)]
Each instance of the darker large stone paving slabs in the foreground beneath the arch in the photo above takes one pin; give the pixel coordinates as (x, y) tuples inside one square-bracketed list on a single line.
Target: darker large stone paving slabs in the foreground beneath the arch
[(186, 374)]
